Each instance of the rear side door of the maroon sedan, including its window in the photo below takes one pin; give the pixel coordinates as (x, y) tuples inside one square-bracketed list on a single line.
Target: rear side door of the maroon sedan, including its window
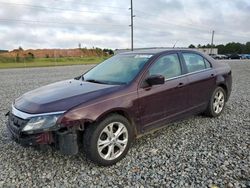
[(201, 78)]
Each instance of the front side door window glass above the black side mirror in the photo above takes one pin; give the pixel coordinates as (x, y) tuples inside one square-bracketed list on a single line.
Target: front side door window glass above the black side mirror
[(167, 66)]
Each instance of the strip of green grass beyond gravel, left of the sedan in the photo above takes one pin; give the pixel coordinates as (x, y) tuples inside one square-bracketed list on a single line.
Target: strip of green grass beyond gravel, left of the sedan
[(47, 62)]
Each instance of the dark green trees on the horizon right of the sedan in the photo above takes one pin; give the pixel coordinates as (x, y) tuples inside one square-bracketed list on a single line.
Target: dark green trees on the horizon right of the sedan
[(229, 48)]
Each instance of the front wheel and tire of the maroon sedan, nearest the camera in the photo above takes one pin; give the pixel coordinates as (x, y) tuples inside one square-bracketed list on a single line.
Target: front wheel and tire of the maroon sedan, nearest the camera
[(102, 143)]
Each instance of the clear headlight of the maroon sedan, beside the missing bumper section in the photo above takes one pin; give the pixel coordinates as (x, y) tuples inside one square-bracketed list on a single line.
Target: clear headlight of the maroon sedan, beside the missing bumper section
[(41, 122)]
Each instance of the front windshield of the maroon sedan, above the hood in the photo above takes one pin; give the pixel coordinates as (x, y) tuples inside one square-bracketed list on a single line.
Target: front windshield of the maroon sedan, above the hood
[(119, 69)]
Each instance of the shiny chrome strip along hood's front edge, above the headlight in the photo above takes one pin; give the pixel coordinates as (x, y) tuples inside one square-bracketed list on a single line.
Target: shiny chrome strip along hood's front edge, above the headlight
[(24, 115)]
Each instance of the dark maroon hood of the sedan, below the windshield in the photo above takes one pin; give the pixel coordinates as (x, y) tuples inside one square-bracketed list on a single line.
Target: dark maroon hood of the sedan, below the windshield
[(61, 96)]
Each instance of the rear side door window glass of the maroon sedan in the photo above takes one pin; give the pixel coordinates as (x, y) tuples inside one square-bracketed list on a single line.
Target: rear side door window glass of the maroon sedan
[(195, 62)]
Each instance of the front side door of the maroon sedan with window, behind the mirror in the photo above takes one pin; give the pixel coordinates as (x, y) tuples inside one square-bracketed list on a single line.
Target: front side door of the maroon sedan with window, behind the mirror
[(158, 102)]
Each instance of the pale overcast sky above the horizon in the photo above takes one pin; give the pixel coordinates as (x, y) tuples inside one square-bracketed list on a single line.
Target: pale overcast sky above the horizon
[(157, 23)]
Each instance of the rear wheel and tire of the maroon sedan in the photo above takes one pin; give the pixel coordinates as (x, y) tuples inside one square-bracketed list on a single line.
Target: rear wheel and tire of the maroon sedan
[(216, 103)]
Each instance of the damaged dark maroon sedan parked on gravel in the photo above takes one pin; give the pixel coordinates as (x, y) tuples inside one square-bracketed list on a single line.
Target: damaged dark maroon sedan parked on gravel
[(128, 95)]
